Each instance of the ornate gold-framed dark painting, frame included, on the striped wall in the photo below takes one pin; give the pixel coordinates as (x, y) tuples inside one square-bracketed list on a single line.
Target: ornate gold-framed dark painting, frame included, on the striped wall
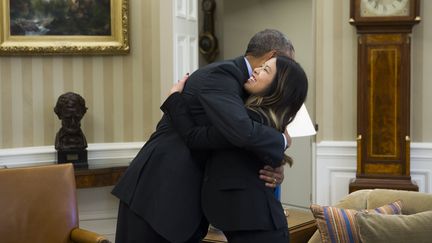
[(19, 35)]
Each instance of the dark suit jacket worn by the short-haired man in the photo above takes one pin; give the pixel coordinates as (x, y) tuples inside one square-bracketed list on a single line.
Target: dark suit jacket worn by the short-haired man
[(163, 182)]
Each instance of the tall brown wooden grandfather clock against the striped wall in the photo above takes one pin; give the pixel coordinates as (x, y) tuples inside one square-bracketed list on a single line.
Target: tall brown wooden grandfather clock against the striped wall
[(383, 92)]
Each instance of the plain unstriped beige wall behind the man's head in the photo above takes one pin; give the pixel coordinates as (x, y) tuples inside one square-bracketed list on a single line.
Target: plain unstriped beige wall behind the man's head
[(241, 19)]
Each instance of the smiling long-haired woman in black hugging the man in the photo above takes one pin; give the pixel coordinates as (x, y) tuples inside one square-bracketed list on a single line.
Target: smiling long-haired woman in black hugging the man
[(234, 199)]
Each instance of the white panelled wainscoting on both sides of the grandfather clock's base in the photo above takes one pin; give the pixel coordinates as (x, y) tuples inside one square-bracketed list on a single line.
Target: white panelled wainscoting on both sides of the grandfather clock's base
[(336, 161)]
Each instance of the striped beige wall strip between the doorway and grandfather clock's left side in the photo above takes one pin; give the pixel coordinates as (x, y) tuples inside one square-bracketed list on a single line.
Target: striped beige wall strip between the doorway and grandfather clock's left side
[(336, 71)]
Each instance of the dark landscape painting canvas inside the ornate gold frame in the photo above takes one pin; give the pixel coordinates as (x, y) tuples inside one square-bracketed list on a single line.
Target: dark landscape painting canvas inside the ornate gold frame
[(60, 17)]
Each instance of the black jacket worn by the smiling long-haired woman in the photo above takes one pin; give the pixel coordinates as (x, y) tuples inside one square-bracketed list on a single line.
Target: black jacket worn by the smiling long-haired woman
[(233, 197)]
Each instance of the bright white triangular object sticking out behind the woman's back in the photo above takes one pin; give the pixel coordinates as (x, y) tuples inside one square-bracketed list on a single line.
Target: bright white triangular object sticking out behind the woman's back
[(302, 125)]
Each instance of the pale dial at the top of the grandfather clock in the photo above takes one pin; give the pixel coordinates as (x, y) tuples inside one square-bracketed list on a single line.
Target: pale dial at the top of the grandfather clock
[(382, 8)]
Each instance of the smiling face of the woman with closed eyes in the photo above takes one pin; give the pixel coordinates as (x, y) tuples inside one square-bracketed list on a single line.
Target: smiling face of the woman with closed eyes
[(261, 77)]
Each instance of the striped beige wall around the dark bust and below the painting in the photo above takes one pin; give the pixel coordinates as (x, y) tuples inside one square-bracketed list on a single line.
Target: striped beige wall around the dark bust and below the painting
[(121, 92)]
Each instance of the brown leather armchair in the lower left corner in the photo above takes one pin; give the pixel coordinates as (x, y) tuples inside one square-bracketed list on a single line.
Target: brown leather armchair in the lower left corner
[(38, 204)]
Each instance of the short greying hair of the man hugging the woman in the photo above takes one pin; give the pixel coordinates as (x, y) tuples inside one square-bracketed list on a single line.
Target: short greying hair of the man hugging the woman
[(270, 40)]
